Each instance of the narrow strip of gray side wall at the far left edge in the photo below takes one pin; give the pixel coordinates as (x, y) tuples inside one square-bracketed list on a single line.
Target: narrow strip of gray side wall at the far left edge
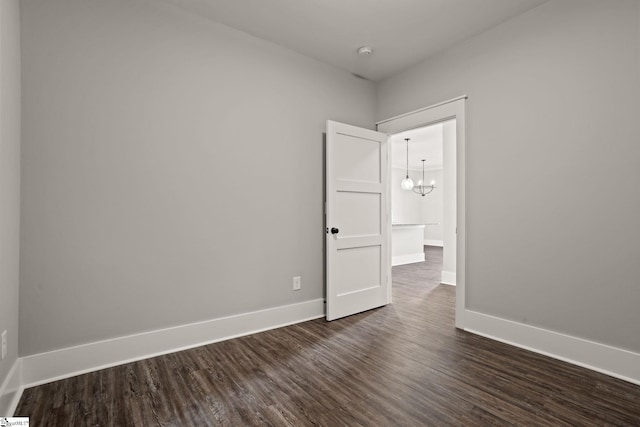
[(9, 178)]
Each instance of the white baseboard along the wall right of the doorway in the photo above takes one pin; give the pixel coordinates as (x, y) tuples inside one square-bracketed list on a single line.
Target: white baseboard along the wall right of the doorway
[(598, 357)]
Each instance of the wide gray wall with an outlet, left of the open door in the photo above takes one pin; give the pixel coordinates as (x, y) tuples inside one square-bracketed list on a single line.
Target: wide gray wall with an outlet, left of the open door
[(172, 169)]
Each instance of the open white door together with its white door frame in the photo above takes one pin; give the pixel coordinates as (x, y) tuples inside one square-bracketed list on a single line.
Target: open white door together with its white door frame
[(358, 209)]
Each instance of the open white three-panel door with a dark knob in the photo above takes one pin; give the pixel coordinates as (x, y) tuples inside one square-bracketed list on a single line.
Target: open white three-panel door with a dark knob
[(358, 224)]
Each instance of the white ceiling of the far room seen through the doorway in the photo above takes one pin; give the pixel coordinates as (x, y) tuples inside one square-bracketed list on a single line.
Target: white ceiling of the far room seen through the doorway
[(425, 143)]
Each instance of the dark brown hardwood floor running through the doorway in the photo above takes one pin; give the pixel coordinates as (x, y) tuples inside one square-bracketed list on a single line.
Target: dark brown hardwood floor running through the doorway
[(400, 365)]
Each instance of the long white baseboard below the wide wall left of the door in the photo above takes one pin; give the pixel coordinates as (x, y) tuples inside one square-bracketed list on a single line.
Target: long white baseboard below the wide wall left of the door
[(68, 362)]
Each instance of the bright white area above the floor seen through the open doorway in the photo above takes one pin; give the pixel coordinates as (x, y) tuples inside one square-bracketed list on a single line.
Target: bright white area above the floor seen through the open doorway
[(423, 217)]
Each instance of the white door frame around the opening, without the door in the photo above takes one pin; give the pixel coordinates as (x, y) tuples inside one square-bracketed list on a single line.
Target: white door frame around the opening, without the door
[(447, 110)]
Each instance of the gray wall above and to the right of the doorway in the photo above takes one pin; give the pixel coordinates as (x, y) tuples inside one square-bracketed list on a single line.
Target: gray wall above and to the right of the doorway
[(553, 164)]
